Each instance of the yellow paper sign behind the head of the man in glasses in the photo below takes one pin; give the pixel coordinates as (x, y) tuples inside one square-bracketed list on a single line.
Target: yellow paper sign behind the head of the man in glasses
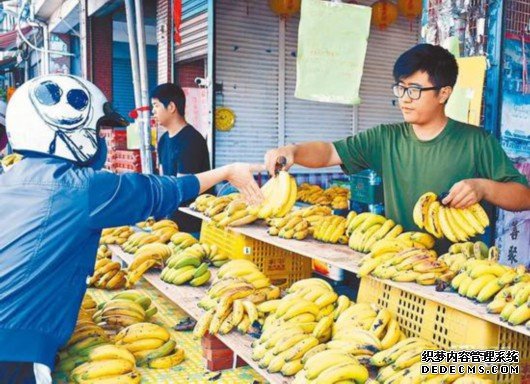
[(465, 103)]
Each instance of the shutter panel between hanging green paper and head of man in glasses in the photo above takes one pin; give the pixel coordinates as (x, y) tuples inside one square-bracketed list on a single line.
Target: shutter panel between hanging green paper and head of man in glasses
[(384, 47)]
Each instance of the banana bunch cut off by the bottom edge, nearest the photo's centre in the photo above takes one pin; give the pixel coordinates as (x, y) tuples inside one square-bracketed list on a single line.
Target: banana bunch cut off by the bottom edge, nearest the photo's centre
[(331, 366)]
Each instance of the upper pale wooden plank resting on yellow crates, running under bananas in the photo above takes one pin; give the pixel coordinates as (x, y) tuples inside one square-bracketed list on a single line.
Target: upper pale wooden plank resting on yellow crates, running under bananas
[(343, 257)]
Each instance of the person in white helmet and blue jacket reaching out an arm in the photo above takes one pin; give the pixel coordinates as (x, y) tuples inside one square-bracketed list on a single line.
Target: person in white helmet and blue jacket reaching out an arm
[(54, 204)]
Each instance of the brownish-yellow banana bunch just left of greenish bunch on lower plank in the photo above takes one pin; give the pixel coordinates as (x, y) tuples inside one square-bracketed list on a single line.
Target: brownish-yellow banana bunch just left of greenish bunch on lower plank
[(146, 257)]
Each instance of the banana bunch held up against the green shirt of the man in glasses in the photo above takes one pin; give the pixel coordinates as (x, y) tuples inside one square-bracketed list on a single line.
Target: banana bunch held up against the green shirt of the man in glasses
[(455, 224)]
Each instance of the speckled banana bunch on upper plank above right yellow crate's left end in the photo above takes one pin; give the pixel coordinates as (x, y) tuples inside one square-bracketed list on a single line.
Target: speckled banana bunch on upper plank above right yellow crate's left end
[(397, 260)]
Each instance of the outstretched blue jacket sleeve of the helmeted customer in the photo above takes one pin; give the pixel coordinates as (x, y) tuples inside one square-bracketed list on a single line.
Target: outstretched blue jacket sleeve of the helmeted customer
[(116, 200)]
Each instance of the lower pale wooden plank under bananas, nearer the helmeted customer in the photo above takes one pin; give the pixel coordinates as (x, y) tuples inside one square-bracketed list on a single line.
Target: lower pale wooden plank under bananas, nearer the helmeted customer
[(186, 297)]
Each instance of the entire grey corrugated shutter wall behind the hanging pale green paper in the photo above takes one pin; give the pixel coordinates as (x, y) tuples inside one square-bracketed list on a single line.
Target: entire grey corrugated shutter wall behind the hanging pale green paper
[(247, 46)]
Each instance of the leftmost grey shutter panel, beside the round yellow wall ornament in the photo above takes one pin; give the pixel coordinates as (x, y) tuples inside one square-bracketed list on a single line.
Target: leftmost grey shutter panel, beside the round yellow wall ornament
[(247, 66)]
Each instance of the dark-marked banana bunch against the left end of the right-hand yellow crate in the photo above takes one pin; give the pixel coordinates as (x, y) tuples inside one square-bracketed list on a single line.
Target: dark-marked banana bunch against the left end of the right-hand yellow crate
[(364, 329)]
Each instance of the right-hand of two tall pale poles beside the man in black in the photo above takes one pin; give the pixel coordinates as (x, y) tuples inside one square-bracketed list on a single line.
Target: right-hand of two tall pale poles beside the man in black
[(145, 151)]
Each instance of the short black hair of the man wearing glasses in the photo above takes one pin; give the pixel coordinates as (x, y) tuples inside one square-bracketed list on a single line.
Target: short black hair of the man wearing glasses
[(436, 61)]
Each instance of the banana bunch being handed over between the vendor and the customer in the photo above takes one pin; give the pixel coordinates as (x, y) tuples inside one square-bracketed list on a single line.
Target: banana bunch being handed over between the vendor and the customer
[(280, 197)]
